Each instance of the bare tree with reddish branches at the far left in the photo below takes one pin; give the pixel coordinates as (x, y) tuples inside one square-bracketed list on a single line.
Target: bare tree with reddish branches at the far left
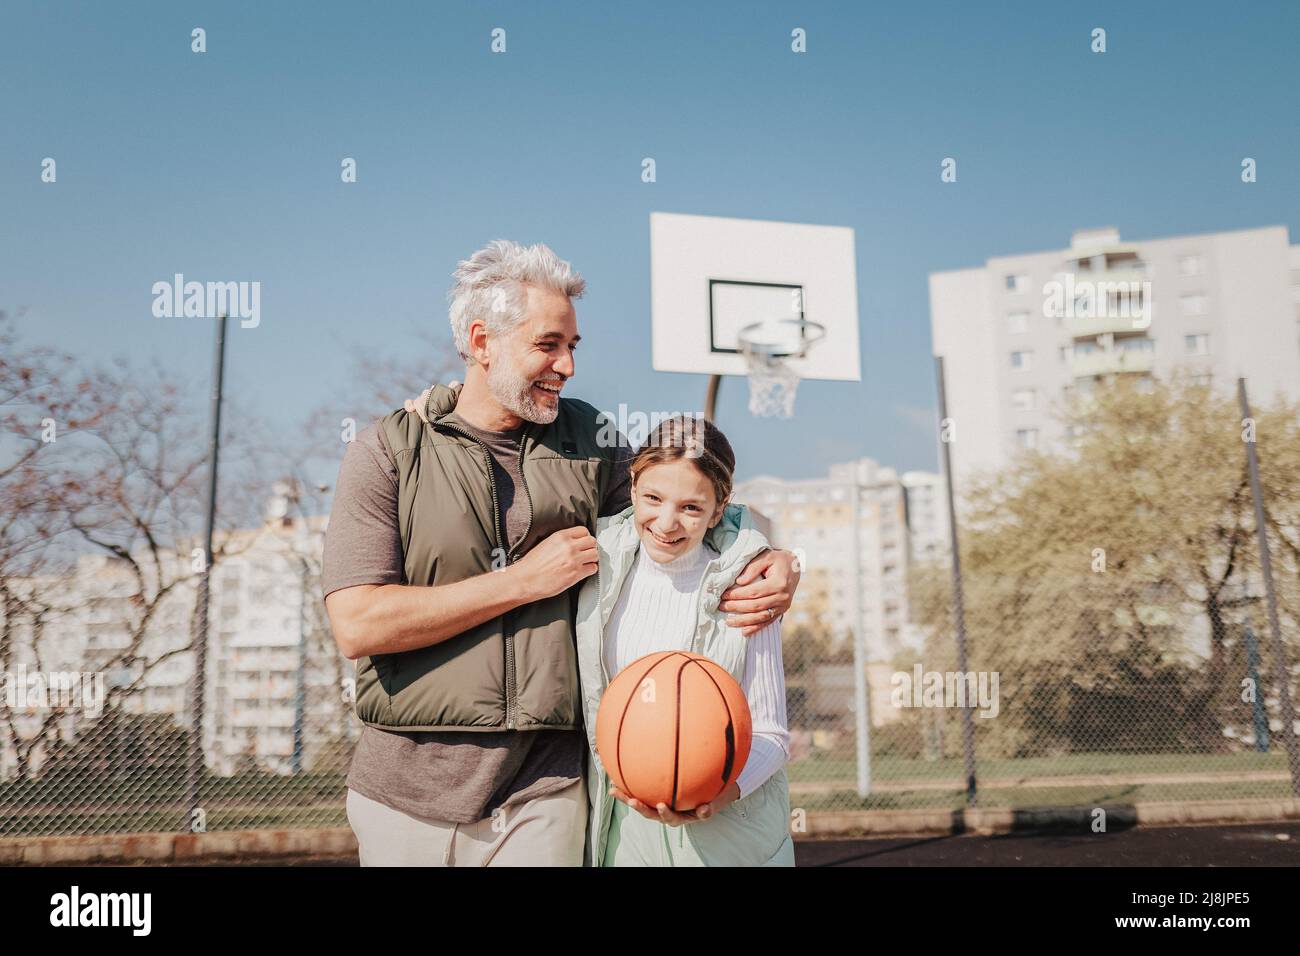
[(124, 479)]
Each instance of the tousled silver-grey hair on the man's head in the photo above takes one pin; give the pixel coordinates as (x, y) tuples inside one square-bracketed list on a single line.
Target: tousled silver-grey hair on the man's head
[(491, 287)]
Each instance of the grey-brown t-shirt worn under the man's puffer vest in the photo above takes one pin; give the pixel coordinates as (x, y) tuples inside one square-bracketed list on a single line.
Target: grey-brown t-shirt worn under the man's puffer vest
[(444, 776)]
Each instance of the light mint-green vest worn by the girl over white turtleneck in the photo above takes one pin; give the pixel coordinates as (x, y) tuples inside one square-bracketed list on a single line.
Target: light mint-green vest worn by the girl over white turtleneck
[(752, 832)]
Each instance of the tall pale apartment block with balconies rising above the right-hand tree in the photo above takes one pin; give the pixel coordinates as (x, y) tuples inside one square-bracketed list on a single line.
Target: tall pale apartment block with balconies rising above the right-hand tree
[(1024, 334)]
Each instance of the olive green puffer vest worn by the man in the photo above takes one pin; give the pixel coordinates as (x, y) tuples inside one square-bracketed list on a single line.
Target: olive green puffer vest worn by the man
[(518, 672)]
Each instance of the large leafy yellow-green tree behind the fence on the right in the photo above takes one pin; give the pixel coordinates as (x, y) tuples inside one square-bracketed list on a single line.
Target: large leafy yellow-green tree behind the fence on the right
[(1110, 585)]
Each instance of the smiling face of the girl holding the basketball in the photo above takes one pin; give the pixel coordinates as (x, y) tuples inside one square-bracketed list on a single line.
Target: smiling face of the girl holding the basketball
[(675, 505)]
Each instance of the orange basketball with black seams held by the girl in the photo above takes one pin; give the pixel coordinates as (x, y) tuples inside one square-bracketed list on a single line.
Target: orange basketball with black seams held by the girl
[(675, 729)]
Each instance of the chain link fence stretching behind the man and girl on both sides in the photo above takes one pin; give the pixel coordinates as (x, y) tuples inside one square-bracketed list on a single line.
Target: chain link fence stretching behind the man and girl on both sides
[(1119, 644)]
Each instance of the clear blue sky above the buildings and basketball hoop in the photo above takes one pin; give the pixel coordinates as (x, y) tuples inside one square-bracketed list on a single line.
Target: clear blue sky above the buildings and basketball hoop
[(226, 166)]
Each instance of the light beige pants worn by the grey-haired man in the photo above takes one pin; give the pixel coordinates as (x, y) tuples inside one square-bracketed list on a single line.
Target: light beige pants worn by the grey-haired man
[(545, 832)]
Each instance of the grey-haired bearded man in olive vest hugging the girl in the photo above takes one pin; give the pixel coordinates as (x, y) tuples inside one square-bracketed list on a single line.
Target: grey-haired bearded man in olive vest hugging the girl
[(458, 533)]
